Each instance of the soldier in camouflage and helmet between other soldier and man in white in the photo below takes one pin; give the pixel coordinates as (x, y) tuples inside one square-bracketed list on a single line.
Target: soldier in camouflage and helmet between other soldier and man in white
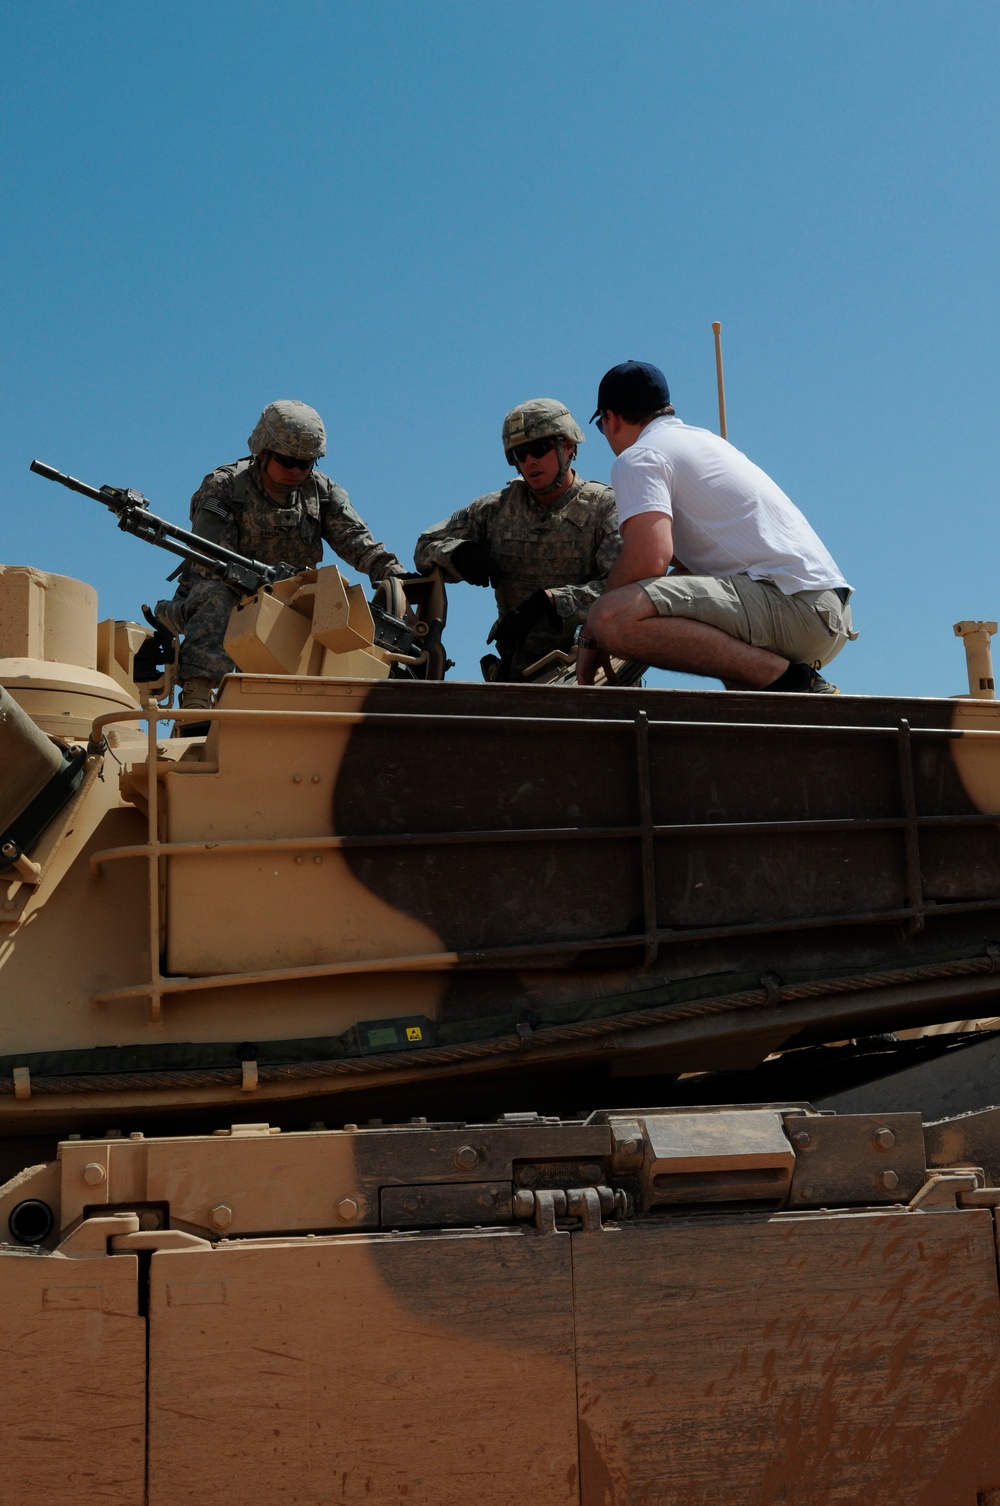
[(546, 543)]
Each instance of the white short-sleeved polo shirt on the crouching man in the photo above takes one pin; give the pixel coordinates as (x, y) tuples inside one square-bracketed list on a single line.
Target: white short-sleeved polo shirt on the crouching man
[(730, 517)]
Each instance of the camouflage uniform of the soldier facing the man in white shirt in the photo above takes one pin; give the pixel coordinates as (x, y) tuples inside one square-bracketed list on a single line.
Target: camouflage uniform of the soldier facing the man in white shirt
[(566, 547)]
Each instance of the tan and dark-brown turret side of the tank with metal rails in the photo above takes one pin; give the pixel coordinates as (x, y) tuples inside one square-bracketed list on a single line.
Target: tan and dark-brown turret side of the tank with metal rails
[(361, 886)]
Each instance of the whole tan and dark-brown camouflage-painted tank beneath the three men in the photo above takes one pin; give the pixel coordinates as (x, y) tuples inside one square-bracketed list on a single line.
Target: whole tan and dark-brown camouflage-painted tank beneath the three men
[(434, 1091)]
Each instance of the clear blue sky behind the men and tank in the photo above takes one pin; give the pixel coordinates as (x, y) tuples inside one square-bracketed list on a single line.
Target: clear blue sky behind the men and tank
[(416, 216)]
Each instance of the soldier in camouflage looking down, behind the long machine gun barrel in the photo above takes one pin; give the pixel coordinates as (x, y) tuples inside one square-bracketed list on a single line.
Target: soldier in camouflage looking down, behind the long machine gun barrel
[(278, 508)]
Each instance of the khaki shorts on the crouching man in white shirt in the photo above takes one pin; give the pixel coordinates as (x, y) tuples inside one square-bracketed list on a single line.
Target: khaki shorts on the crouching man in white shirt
[(806, 629)]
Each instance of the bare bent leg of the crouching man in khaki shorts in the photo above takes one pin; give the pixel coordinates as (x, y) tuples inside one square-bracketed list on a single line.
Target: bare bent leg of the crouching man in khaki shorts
[(629, 626)]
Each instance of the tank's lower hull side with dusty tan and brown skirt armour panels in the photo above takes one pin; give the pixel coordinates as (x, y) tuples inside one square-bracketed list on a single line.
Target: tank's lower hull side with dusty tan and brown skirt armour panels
[(746, 1305)]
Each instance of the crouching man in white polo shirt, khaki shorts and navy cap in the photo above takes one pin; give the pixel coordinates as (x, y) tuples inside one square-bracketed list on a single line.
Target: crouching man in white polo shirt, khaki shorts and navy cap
[(754, 597)]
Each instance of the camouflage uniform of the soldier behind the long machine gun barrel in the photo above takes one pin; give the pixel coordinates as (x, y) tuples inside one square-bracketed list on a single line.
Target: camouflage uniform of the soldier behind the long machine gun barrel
[(231, 508)]
